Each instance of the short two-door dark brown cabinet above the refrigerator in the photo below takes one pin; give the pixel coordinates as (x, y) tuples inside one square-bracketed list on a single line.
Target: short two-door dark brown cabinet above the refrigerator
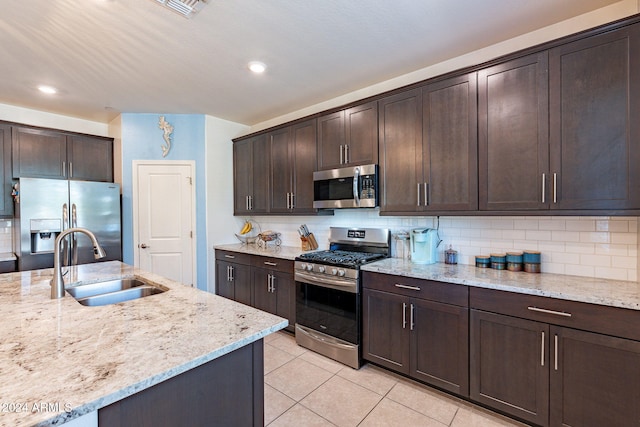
[(41, 153)]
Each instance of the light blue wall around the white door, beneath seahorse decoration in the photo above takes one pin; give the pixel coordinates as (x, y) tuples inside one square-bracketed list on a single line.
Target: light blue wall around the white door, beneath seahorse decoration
[(141, 140)]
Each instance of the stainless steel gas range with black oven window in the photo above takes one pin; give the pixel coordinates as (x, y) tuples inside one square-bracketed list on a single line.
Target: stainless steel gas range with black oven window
[(328, 297)]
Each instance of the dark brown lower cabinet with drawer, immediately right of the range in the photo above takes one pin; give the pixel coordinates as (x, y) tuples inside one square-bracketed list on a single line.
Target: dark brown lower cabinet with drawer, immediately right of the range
[(422, 338)]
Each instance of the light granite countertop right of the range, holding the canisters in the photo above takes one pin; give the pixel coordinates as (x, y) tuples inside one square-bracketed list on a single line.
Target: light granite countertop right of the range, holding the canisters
[(615, 293)]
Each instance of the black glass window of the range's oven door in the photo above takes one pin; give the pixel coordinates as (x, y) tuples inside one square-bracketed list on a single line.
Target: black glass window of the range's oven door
[(329, 311)]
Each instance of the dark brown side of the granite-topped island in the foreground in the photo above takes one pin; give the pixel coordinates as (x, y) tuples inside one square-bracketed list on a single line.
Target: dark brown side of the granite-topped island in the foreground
[(228, 391)]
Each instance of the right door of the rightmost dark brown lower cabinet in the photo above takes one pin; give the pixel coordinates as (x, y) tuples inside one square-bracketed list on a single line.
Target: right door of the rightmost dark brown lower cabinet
[(595, 379)]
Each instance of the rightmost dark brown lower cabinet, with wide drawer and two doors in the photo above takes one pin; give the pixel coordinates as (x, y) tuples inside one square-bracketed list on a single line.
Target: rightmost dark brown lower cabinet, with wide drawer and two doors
[(533, 358)]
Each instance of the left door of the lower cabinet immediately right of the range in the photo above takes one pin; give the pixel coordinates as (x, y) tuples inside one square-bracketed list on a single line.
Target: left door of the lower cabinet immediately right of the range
[(385, 330)]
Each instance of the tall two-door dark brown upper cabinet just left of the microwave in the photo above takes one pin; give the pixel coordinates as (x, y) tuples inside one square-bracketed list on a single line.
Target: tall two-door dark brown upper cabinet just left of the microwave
[(292, 164)]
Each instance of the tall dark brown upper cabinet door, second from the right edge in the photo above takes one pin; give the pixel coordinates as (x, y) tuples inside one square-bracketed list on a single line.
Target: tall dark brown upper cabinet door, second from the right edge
[(513, 124)]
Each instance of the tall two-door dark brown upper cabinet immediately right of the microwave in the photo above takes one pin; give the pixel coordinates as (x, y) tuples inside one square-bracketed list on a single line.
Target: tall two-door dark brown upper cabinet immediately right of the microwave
[(428, 148)]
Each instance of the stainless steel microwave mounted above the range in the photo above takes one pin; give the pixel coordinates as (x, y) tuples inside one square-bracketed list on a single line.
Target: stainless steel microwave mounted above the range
[(348, 187)]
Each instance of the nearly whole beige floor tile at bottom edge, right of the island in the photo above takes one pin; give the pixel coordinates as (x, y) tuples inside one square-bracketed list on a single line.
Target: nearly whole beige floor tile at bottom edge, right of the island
[(342, 402)]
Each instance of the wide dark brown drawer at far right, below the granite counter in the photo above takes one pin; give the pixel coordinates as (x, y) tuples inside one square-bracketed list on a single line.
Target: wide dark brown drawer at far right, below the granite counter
[(591, 317)]
